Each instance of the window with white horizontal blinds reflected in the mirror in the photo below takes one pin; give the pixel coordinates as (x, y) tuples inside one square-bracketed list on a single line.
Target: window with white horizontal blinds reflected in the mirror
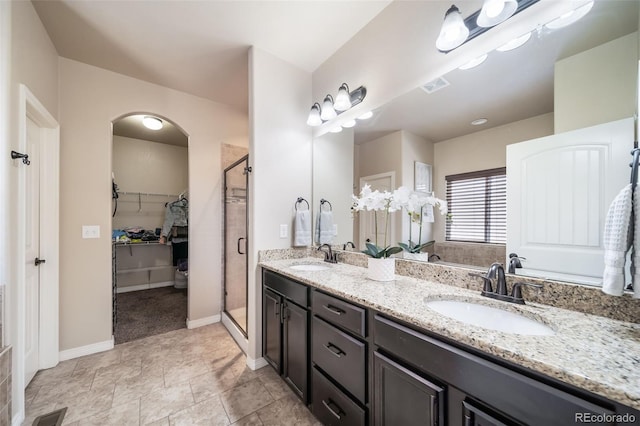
[(477, 204)]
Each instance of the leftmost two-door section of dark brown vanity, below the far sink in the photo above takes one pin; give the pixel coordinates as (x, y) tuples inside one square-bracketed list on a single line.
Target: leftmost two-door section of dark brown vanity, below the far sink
[(285, 330)]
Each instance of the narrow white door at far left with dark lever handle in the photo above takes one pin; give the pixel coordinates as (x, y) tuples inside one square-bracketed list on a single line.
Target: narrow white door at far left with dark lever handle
[(32, 252)]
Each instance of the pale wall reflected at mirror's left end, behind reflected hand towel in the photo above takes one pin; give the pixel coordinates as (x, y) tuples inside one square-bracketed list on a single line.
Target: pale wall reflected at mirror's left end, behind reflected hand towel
[(332, 174)]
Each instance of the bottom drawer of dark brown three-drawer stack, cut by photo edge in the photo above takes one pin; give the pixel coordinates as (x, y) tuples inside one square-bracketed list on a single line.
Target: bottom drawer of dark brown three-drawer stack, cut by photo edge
[(331, 406)]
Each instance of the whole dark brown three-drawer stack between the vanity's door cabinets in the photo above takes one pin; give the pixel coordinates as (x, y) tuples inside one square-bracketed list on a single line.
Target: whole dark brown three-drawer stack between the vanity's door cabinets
[(339, 357)]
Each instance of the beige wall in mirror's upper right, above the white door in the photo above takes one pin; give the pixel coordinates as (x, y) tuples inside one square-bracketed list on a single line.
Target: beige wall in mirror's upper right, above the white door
[(597, 86)]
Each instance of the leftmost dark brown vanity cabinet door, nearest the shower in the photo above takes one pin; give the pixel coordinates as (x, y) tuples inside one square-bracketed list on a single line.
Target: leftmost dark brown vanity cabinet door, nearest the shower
[(272, 330)]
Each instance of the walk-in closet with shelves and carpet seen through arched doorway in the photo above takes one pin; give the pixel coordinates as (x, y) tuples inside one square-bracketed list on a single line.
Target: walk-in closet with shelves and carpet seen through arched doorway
[(150, 230)]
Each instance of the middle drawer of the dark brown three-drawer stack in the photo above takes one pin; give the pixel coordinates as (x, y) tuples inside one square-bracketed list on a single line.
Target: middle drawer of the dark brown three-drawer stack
[(341, 356)]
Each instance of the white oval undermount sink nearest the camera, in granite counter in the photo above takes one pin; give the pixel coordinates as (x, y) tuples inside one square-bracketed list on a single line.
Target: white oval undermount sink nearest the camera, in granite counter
[(489, 317)]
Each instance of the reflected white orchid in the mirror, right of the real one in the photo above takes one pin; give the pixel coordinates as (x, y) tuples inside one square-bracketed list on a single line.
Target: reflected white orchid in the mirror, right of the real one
[(415, 203)]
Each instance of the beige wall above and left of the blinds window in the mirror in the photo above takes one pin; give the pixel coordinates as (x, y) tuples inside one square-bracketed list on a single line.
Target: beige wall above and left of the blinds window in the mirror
[(480, 151)]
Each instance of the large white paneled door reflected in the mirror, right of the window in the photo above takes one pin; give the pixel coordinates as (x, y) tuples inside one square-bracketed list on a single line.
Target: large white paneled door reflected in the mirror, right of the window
[(559, 189)]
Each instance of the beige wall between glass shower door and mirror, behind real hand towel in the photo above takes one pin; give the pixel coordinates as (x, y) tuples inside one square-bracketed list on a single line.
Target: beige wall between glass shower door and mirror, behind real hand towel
[(280, 153)]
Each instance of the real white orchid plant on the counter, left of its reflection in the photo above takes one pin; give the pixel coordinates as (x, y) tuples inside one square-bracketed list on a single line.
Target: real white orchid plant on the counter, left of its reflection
[(384, 203)]
